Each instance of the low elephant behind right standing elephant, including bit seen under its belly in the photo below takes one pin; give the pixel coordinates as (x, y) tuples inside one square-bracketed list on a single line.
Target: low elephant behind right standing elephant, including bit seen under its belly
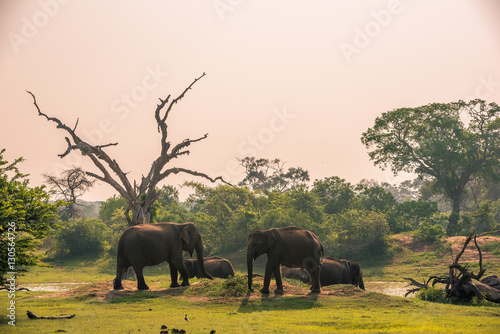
[(333, 271)]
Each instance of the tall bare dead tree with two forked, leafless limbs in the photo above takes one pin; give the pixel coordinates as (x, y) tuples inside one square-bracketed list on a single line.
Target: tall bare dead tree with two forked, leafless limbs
[(139, 196)]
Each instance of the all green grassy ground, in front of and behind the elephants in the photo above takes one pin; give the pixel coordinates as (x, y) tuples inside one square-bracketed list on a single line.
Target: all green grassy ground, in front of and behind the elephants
[(226, 306)]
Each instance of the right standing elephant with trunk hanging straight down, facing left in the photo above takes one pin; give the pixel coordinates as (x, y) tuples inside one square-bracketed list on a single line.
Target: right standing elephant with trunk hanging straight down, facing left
[(288, 246)]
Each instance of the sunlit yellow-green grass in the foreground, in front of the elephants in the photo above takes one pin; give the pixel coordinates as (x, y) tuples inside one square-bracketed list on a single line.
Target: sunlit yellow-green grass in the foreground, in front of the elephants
[(338, 309)]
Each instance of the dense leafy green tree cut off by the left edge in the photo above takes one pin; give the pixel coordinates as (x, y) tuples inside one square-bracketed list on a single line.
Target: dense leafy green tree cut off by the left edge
[(26, 216)]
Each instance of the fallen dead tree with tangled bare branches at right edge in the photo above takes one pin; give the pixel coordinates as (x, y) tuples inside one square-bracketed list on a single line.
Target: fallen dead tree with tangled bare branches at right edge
[(461, 283)]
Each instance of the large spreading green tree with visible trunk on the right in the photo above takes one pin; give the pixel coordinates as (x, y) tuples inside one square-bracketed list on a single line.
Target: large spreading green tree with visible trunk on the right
[(434, 140)]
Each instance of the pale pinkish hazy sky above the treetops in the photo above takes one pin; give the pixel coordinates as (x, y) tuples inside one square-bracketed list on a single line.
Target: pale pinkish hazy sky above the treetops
[(290, 79)]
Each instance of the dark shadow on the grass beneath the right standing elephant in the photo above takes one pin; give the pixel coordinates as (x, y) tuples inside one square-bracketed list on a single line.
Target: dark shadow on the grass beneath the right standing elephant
[(277, 302)]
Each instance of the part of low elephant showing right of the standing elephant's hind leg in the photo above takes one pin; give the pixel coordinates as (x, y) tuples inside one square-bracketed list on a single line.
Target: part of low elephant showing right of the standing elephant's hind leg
[(334, 271)]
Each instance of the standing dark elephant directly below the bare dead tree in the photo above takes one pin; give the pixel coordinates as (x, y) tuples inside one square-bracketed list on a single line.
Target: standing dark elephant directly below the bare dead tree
[(151, 244)]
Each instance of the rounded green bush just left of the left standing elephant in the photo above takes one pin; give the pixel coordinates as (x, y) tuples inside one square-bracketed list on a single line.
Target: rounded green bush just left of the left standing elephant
[(81, 237)]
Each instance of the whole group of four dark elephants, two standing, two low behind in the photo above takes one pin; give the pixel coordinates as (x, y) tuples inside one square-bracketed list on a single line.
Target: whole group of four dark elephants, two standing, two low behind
[(292, 252)]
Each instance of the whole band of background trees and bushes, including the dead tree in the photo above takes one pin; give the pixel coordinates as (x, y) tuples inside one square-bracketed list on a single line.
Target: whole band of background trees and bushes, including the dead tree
[(454, 148)]
